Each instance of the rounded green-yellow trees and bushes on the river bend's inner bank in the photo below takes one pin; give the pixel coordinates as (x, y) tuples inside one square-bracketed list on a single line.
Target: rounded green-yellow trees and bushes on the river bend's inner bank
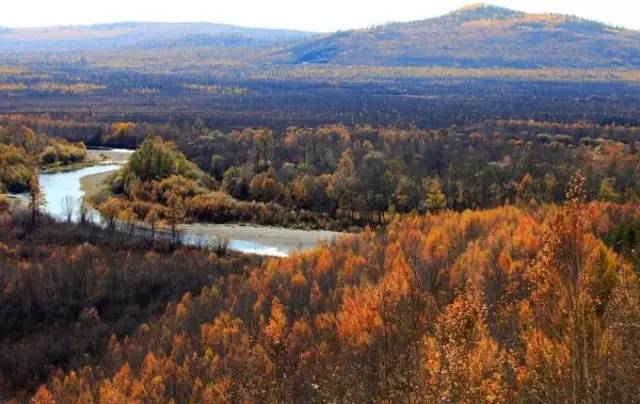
[(158, 172)]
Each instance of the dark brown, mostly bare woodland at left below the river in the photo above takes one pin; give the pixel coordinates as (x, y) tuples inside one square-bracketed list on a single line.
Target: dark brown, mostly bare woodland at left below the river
[(65, 290)]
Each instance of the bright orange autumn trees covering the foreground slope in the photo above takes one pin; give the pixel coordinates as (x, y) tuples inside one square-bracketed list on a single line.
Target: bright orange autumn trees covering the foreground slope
[(503, 305)]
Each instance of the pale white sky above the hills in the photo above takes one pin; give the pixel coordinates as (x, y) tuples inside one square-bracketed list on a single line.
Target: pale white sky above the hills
[(314, 15)]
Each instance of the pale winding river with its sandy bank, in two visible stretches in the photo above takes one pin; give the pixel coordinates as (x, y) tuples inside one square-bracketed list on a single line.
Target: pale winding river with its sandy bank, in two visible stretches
[(261, 240)]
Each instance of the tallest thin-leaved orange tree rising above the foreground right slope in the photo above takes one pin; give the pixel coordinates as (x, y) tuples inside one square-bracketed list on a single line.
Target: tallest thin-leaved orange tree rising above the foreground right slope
[(571, 283)]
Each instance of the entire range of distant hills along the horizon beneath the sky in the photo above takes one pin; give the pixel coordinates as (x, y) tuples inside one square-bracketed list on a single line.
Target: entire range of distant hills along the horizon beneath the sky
[(477, 36)]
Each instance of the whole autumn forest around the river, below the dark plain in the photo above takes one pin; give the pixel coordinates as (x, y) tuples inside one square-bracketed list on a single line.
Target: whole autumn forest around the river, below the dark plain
[(490, 262)]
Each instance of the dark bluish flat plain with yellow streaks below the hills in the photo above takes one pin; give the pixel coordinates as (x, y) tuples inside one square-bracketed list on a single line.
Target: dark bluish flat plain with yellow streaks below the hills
[(173, 83)]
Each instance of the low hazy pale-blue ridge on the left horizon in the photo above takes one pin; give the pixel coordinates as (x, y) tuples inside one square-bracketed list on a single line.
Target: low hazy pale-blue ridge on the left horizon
[(140, 34)]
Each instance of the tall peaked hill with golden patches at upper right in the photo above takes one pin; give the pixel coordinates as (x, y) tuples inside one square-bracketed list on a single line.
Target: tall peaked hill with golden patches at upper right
[(477, 36)]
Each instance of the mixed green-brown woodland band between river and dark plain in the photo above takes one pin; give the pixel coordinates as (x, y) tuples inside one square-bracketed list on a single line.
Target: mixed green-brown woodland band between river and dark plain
[(338, 177)]
